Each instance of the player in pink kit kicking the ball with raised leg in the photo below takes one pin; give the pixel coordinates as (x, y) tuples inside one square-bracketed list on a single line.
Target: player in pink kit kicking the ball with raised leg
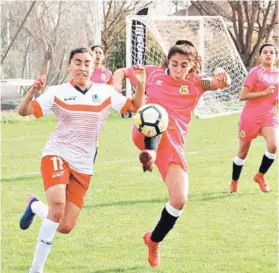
[(177, 86)]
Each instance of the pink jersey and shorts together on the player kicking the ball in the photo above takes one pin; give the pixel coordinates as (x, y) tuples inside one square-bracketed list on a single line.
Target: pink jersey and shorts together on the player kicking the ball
[(179, 98)]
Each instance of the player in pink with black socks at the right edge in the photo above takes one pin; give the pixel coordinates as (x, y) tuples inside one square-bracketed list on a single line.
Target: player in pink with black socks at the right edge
[(259, 115)]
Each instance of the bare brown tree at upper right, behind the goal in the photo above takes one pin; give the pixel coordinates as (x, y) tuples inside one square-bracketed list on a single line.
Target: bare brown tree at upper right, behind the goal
[(251, 22)]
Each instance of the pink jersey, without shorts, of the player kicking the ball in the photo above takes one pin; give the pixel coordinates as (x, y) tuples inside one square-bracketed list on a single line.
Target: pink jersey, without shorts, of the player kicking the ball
[(179, 98)]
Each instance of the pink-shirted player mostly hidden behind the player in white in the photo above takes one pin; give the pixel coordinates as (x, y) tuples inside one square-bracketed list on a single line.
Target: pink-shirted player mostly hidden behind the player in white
[(100, 73)]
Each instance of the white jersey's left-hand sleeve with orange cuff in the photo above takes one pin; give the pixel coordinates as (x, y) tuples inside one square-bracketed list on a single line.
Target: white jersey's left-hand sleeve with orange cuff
[(43, 104)]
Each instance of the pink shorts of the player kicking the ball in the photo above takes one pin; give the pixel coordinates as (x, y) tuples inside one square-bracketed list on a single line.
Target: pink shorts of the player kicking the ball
[(168, 152)]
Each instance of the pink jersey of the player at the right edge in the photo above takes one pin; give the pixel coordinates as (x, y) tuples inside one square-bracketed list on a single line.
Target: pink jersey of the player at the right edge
[(258, 80)]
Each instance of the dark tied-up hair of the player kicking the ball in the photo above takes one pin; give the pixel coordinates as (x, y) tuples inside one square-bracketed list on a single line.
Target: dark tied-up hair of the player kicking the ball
[(185, 47)]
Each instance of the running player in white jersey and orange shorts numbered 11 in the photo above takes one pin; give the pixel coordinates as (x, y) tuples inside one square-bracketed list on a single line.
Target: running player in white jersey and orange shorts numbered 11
[(80, 108)]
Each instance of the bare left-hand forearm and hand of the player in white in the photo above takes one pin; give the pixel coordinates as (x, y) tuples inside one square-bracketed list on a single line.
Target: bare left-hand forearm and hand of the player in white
[(25, 107)]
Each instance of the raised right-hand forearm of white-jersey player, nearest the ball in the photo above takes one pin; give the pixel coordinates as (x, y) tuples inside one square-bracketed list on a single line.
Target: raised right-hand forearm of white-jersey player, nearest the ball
[(140, 77)]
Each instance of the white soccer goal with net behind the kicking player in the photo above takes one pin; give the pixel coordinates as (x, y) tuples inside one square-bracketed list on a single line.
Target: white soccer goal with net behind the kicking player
[(148, 40)]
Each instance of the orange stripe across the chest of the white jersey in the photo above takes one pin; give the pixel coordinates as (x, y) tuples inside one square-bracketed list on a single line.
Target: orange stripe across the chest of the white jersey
[(81, 107)]
